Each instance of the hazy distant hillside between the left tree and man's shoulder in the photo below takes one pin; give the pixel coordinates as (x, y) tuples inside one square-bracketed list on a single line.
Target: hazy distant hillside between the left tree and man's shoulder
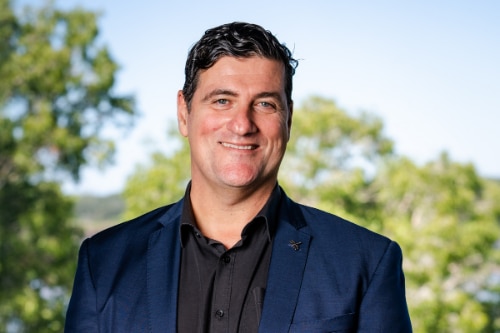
[(95, 213)]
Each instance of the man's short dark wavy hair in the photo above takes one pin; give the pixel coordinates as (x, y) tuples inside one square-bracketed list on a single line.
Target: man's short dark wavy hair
[(237, 39)]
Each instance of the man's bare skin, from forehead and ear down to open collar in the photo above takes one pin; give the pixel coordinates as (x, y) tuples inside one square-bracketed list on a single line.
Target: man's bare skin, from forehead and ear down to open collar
[(238, 124)]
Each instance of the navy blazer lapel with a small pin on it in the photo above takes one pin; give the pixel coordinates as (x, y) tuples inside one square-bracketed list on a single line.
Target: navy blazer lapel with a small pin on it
[(290, 250)]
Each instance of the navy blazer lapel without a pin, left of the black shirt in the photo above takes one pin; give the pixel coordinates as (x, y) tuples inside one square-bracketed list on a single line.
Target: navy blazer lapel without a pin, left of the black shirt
[(163, 260)]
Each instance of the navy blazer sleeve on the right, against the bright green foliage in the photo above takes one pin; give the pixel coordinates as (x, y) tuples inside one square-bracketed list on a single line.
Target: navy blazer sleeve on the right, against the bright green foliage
[(384, 308)]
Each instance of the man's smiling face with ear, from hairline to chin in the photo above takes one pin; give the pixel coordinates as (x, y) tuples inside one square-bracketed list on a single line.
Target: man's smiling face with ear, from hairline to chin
[(239, 123)]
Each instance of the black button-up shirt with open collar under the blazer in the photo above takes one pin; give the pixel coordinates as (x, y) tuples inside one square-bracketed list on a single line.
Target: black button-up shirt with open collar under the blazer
[(223, 290)]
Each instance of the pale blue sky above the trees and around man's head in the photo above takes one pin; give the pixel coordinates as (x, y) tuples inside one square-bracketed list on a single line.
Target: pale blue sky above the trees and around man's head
[(429, 69)]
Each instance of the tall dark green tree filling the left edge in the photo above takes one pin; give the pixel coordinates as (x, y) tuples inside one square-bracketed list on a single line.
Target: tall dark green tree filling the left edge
[(55, 97)]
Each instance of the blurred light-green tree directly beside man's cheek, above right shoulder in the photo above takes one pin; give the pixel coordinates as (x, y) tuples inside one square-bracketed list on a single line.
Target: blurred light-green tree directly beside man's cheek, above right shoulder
[(331, 159)]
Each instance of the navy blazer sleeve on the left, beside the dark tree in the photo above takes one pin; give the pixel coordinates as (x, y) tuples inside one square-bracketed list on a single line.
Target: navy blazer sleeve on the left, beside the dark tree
[(81, 315)]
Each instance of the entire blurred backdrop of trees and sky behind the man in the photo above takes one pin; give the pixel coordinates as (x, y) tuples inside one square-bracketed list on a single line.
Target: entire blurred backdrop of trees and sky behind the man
[(395, 128)]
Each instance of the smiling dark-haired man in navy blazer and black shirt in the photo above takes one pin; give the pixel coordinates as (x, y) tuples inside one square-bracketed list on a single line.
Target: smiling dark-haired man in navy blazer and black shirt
[(236, 254)]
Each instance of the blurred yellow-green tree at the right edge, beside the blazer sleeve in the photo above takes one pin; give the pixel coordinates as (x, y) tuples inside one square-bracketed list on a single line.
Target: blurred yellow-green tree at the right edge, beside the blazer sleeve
[(446, 224)]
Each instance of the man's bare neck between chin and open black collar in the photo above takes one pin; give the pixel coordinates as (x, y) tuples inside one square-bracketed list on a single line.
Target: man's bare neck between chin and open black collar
[(221, 215)]
